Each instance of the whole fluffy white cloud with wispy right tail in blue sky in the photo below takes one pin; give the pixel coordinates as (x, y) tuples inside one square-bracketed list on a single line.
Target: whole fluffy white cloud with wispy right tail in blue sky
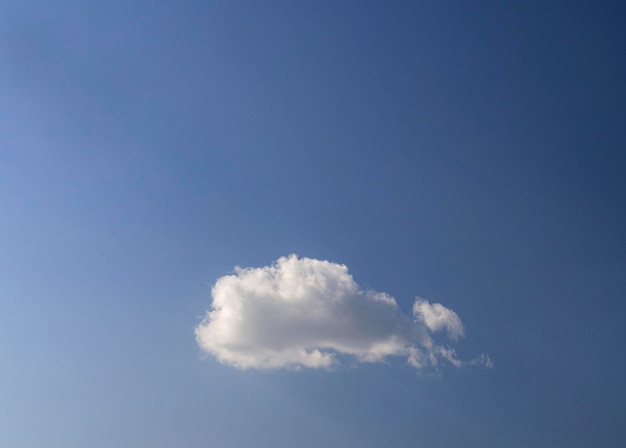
[(302, 312)]
